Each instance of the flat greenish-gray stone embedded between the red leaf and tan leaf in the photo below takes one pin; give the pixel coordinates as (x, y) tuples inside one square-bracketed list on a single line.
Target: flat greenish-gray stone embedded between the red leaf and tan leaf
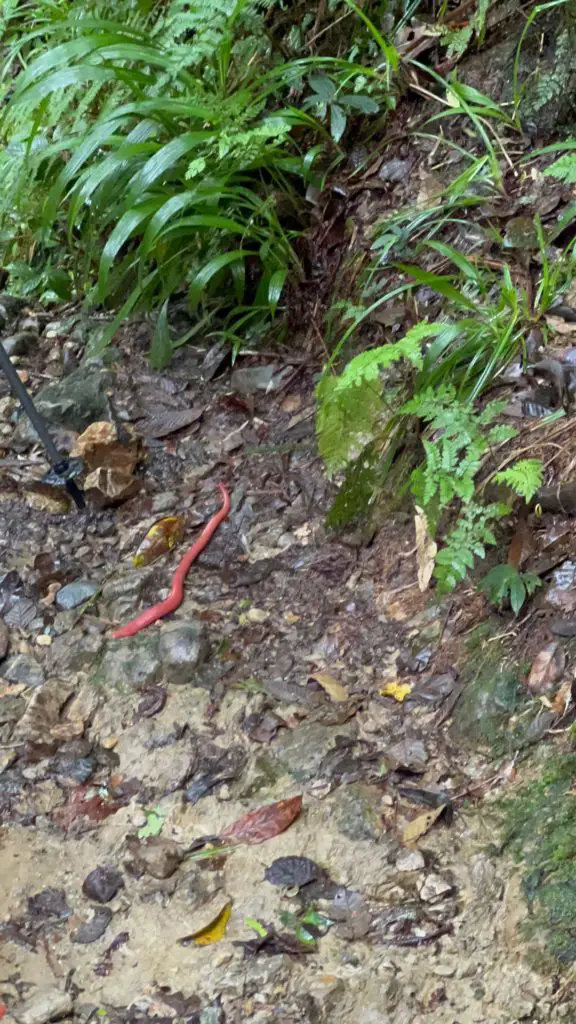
[(302, 751)]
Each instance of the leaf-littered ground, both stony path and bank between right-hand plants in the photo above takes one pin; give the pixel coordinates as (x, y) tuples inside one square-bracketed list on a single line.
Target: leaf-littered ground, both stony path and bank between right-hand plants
[(284, 800)]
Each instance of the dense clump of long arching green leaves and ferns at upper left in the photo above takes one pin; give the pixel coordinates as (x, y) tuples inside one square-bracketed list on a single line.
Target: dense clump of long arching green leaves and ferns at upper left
[(169, 151)]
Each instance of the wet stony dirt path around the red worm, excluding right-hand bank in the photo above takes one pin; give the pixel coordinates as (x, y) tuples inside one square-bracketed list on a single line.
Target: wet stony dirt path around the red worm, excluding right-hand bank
[(138, 755)]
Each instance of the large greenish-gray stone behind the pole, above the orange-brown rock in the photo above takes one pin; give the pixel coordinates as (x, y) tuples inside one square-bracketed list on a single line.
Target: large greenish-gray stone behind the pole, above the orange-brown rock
[(73, 403)]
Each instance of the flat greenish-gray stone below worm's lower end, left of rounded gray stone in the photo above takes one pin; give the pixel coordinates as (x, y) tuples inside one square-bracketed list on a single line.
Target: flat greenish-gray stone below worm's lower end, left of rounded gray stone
[(130, 664)]
